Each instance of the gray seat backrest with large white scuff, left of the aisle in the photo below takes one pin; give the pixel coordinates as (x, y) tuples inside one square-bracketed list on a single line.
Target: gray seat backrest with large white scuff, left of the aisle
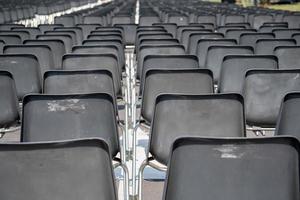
[(72, 116)]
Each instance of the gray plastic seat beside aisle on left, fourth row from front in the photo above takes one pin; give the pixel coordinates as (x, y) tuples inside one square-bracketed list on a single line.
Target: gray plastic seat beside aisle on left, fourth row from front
[(94, 61)]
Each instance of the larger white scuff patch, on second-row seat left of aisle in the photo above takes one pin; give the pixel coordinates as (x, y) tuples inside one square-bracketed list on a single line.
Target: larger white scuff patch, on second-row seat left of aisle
[(66, 105)]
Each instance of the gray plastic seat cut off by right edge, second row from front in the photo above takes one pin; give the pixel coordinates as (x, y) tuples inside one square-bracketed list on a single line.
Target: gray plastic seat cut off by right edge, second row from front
[(288, 119)]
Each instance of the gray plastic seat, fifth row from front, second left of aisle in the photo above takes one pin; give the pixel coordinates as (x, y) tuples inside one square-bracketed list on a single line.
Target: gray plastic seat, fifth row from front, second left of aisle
[(42, 52)]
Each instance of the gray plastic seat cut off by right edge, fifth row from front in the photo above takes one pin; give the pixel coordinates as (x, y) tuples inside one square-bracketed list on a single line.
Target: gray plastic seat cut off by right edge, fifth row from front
[(288, 57)]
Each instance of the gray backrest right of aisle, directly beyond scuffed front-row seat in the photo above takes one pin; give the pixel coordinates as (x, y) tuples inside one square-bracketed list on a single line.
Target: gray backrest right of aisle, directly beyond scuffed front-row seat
[(182, 115)]
